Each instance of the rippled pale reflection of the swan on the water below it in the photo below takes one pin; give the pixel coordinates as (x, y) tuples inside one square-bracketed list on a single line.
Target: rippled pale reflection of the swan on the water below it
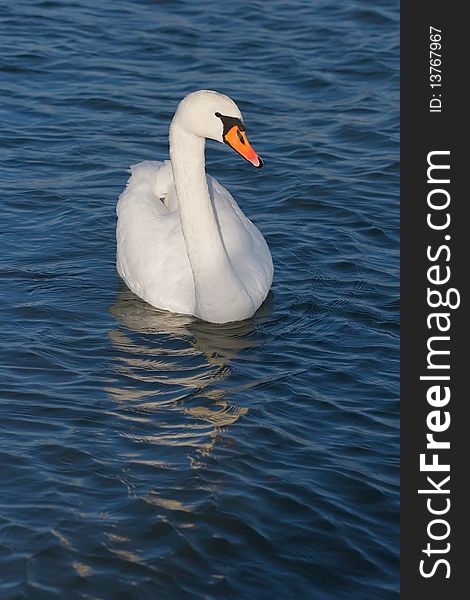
[(175, 365)]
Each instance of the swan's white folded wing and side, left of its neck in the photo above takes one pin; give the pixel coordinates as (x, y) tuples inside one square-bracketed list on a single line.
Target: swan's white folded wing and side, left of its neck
[(151, 253)]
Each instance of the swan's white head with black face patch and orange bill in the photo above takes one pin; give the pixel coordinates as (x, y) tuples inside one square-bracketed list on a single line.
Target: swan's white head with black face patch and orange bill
[(211, 115)]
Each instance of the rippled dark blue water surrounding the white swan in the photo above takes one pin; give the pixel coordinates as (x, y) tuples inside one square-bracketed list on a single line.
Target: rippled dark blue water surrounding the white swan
[(152, 456)]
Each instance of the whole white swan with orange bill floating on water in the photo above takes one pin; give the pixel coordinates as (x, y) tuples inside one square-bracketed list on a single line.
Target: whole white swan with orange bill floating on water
[(183, 243)]
